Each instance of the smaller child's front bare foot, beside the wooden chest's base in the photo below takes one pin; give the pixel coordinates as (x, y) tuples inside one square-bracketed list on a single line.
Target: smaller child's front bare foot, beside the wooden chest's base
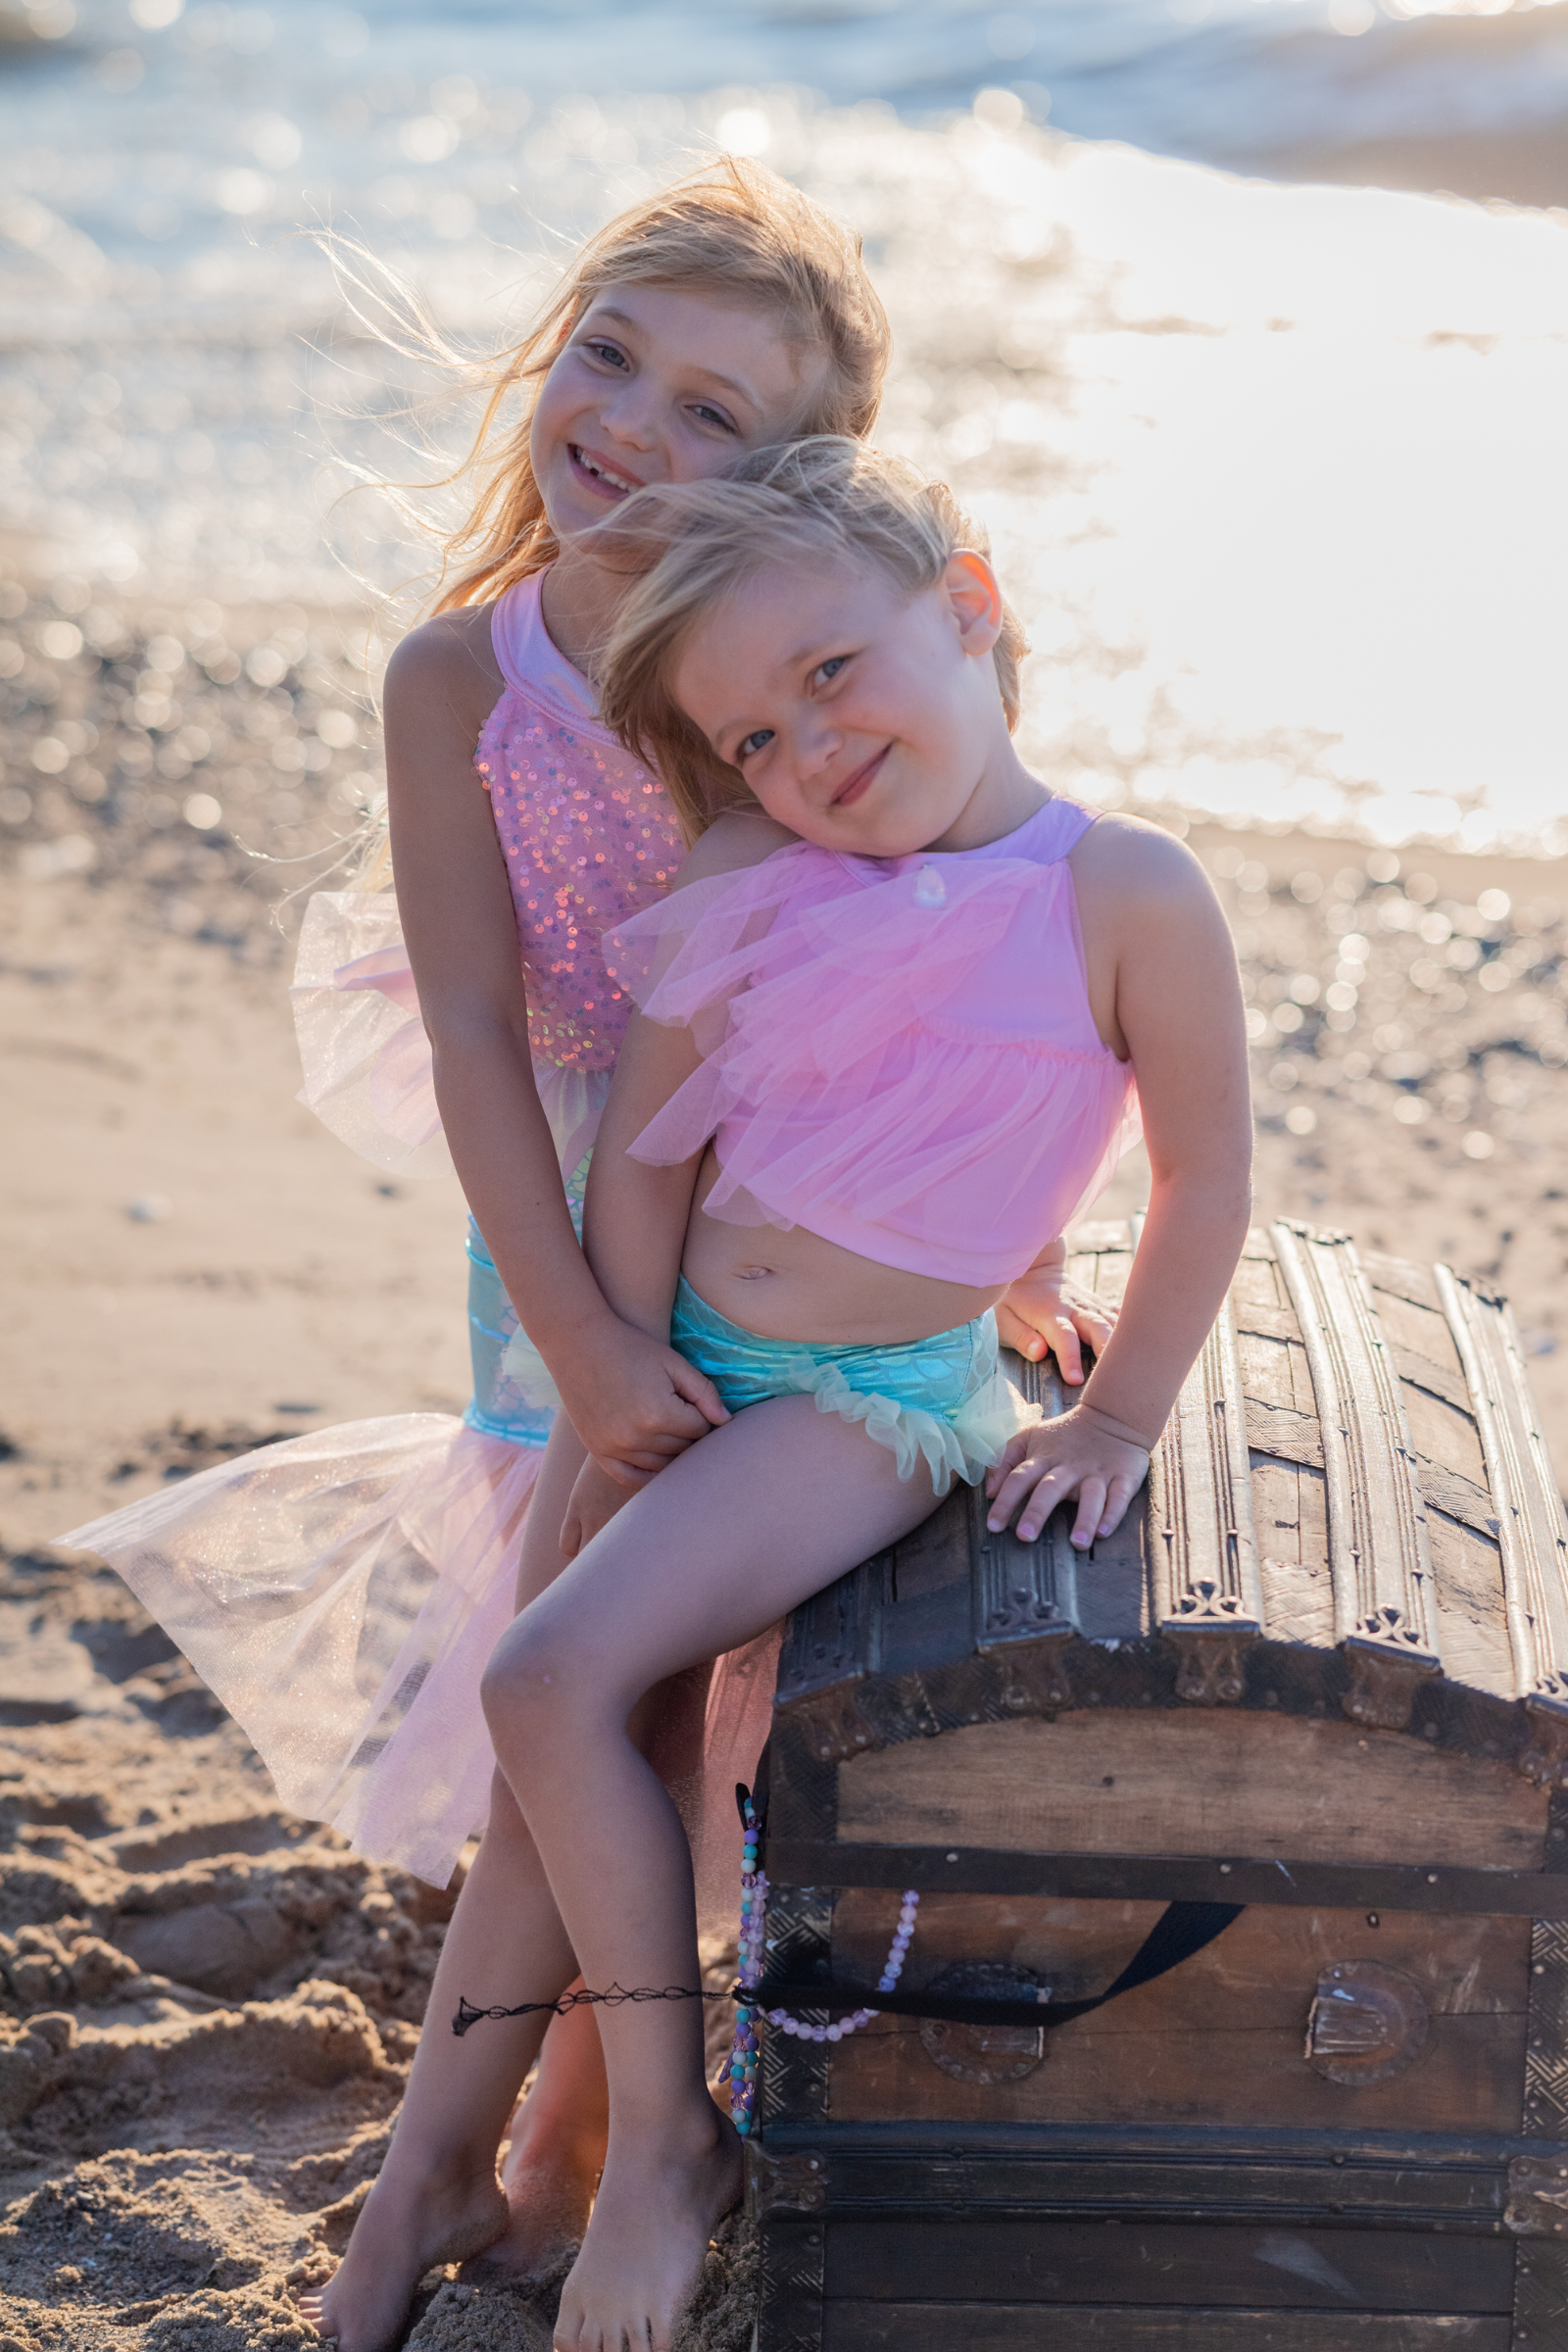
[(648, 2243)]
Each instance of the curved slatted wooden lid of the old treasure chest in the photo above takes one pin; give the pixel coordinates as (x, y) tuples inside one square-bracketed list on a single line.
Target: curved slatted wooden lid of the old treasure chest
[(1351, 1514)]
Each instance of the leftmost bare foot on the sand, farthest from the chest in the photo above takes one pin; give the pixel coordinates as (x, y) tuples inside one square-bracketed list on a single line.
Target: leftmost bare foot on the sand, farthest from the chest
[(403, 2231)]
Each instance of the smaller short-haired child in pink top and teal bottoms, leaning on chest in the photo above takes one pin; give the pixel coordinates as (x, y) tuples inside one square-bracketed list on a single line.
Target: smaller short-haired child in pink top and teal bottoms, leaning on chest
[(892, 1017)]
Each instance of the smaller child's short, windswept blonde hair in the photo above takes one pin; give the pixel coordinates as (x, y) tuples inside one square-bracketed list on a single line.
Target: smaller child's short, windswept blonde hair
[(692, 544)]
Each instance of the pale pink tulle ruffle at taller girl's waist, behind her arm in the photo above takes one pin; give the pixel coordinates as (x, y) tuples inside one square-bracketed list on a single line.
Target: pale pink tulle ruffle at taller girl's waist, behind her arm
[(366, 1055)]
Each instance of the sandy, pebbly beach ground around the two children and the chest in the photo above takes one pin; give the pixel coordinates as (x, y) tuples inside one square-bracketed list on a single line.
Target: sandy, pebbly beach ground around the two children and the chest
[(206, 2007)]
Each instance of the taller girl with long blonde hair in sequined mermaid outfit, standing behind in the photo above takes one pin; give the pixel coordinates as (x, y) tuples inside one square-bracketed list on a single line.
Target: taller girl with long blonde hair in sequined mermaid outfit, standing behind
[(342, 1591)]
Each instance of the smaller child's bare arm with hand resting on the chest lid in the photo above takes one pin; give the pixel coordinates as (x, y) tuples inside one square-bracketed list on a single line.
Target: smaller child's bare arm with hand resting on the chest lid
[(1165, 984)]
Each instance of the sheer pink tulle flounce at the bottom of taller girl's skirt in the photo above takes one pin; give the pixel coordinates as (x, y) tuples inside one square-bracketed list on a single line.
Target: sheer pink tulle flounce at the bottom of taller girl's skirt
[(342, 1593)]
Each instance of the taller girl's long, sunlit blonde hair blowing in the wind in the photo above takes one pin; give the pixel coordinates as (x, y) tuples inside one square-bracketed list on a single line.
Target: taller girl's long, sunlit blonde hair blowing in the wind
[(732, 229)]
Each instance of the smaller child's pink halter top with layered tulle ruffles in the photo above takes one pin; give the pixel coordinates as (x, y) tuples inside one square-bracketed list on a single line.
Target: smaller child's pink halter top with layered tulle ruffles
[(897, 1055)]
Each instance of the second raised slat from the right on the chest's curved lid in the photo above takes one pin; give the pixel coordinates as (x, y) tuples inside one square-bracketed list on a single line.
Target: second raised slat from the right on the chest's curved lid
[(1376, 1521)]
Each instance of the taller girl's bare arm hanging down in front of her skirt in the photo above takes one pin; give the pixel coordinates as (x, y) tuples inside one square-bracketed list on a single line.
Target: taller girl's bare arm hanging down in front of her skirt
[(631, 1398)]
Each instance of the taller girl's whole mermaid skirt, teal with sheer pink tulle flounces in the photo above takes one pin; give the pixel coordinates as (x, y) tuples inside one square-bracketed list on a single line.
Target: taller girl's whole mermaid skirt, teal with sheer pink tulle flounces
[(342, 1591)]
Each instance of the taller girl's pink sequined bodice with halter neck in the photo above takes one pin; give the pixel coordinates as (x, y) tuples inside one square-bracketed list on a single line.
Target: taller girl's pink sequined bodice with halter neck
[(587, 831)]
